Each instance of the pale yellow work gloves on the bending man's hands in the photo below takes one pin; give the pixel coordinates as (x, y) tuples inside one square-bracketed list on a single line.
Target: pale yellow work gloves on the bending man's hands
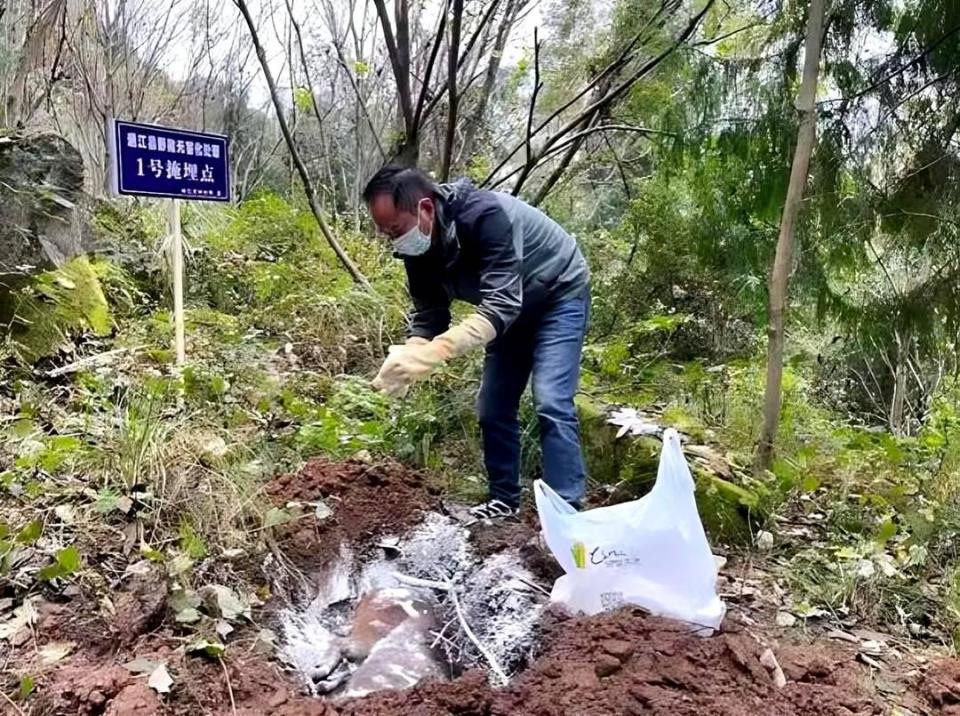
[(414, 361)]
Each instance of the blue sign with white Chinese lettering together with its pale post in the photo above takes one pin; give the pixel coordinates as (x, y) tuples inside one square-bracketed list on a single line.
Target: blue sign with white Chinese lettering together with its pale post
[(154, 161)]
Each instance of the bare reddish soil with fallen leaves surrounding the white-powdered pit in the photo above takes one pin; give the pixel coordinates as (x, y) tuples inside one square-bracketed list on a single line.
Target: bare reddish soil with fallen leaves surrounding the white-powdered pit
[(99, 653)]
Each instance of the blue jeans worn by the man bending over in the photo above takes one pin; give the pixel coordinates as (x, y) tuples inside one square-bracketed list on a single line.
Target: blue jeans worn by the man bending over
[(547, 345)]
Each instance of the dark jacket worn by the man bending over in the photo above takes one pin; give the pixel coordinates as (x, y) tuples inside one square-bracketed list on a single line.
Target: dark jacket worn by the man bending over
[(496, 252)]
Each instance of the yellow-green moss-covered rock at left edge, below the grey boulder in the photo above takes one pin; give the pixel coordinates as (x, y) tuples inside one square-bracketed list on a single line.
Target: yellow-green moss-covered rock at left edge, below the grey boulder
[(54, 306)]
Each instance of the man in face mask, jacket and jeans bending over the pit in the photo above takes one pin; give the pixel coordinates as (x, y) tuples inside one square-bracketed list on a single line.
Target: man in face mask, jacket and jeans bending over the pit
[(530, 284)]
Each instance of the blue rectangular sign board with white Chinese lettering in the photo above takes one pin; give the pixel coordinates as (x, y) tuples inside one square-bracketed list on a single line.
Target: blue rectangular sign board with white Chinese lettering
[(149, 160)]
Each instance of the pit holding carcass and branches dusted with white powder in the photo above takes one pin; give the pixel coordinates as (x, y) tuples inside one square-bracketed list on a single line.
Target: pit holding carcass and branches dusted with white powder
[(423, 606)]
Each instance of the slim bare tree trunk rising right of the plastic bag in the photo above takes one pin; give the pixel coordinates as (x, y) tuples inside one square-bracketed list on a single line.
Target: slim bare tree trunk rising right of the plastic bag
[(780, 276)]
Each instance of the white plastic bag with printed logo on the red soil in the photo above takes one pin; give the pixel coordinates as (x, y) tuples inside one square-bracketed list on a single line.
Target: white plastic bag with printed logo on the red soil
[(651, 552)]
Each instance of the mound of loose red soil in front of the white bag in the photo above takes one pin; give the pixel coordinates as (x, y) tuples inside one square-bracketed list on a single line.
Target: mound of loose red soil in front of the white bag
[(630, 663)]
